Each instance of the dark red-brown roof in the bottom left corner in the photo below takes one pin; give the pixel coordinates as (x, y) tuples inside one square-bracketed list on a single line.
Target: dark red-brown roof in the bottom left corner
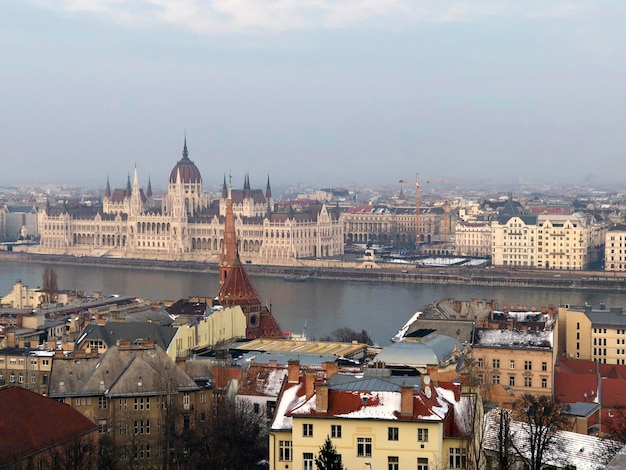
[(32, 423)]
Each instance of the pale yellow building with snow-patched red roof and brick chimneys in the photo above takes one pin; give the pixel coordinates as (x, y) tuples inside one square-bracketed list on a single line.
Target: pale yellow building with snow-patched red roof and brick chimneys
[(373, 422)]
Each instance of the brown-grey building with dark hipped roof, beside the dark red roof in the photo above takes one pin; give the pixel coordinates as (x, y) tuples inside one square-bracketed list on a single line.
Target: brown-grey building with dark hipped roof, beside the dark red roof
[(141, 401)]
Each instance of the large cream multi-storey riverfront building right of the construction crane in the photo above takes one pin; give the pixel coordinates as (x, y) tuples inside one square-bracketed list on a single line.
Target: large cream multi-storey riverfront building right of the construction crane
[(563, 242)]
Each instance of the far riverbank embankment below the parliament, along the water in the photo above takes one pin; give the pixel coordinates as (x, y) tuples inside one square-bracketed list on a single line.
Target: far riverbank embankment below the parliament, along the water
[(389, 272)]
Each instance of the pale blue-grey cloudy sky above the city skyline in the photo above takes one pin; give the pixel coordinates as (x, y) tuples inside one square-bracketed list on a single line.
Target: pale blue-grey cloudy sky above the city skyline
[(326, 92)]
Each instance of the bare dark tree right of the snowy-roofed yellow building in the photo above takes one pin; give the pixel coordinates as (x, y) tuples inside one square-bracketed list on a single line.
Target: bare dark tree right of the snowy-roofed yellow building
[(541, 418)]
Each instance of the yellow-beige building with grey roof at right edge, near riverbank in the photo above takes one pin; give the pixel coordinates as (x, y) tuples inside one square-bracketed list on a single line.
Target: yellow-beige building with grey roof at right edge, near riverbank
[(597, 334)]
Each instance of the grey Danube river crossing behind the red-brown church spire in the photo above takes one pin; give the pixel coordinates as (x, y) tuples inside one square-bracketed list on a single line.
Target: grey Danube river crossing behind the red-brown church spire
[(324, 305)]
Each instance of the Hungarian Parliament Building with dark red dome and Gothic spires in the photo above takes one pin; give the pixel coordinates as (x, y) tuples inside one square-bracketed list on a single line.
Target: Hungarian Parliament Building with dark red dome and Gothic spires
[(186, 224)]
